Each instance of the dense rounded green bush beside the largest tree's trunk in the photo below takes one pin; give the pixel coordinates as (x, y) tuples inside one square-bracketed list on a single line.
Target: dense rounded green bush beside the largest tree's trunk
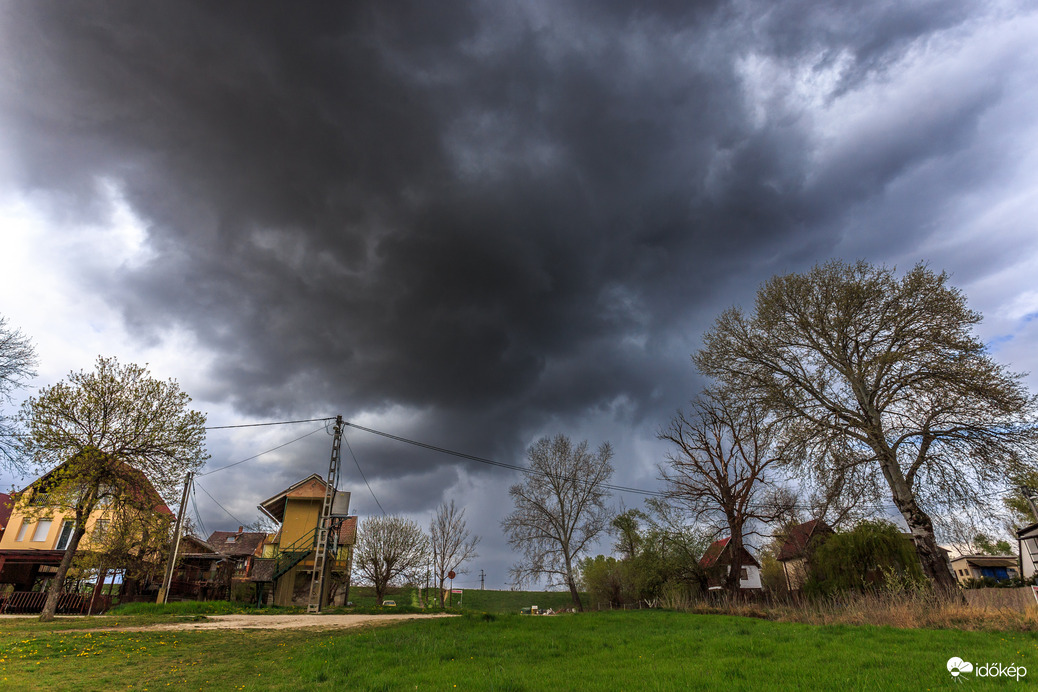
[(865, 559)]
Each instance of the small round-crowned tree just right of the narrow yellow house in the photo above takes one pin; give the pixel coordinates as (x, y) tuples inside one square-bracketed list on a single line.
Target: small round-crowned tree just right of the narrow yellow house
[(390, 548)]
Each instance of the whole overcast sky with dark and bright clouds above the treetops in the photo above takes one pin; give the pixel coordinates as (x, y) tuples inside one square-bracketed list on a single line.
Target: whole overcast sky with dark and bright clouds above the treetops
[(476, 225)]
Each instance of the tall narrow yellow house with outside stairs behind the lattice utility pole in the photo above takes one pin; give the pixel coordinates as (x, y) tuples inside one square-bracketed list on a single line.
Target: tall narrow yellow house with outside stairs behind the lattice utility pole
[(291, 551)]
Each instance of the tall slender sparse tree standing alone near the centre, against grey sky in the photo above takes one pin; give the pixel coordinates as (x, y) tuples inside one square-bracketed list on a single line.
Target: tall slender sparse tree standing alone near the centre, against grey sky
[(560, 511)]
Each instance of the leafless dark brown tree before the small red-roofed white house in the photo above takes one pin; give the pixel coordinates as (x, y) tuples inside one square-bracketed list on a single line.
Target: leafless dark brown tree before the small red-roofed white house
[(722, 472)]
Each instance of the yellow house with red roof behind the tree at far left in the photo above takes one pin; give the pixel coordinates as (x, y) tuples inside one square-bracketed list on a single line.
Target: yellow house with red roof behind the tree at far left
[(36, 538)]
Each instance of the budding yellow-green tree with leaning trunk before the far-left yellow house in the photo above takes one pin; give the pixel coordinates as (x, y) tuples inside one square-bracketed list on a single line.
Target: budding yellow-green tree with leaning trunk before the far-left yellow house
[(105, 439)]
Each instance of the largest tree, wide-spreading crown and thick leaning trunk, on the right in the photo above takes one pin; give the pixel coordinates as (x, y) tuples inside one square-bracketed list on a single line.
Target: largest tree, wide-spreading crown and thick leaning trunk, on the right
[(883, 377)]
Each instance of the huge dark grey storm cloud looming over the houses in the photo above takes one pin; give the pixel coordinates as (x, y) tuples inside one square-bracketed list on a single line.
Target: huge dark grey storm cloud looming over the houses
[(501, 216)]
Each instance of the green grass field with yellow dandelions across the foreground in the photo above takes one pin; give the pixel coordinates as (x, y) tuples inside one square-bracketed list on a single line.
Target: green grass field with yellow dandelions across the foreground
[(609, 651)]
